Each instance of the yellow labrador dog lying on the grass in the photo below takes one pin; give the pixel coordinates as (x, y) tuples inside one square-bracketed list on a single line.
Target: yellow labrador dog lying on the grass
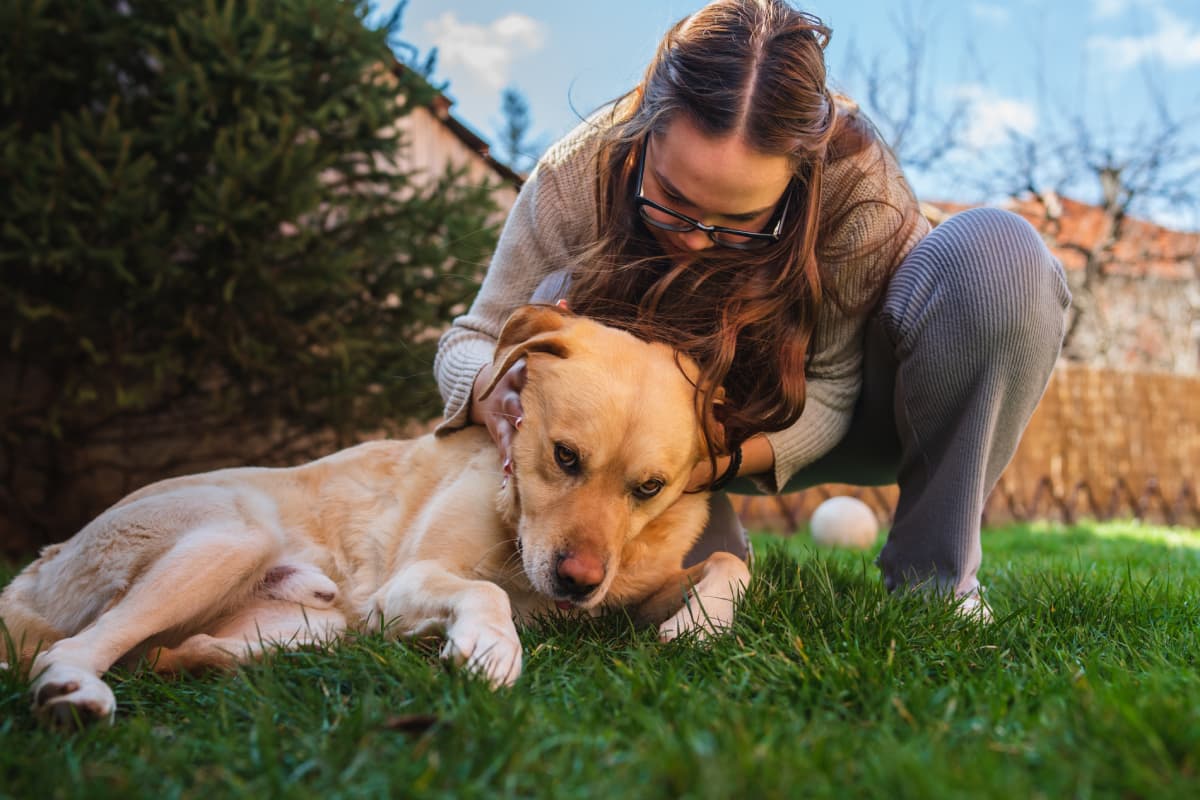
[(417, 537)]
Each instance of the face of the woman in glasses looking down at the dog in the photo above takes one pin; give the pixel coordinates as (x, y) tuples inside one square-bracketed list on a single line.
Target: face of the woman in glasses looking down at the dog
[(719, 182)]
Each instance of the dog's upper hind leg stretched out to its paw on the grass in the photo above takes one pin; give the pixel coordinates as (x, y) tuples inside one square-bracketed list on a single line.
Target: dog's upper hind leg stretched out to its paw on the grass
[(209, 569)]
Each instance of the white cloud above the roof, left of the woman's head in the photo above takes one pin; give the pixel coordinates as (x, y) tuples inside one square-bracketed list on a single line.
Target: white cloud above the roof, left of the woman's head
[(485, 52)]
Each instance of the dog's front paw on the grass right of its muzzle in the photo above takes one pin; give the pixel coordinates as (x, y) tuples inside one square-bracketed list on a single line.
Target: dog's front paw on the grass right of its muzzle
[(699, 599)]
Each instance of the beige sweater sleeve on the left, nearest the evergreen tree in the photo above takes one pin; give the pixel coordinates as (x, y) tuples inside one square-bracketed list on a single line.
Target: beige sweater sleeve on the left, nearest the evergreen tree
[(547, 222)]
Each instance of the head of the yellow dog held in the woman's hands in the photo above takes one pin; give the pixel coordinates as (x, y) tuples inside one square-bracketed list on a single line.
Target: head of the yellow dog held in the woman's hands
[(610, 438)]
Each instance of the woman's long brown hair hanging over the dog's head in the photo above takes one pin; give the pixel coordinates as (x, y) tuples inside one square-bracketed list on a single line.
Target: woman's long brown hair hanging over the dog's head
[(754, 69)]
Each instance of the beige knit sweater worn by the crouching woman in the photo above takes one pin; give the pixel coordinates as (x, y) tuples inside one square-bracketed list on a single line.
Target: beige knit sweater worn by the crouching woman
[(555, 215)]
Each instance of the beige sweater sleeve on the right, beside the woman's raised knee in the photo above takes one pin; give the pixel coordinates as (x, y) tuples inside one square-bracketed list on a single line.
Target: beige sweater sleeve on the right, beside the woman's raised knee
[(877, 224)]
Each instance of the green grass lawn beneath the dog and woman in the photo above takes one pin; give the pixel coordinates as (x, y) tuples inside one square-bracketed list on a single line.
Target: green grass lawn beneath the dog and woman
[(1087, 685)]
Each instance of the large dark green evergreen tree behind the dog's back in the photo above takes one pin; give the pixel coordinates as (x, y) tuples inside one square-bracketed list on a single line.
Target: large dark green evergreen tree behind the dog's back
[(208, 233)]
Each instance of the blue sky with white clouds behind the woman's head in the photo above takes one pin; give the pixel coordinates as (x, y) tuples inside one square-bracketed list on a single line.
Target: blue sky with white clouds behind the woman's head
[(1021, 65)]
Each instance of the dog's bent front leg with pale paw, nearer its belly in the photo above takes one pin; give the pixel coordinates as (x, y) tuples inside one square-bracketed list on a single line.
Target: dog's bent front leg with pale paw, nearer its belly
[(475, 616)]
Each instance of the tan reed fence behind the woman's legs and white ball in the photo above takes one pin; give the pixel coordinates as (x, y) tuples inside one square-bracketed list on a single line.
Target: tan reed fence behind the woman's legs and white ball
[(1102, 446)]
